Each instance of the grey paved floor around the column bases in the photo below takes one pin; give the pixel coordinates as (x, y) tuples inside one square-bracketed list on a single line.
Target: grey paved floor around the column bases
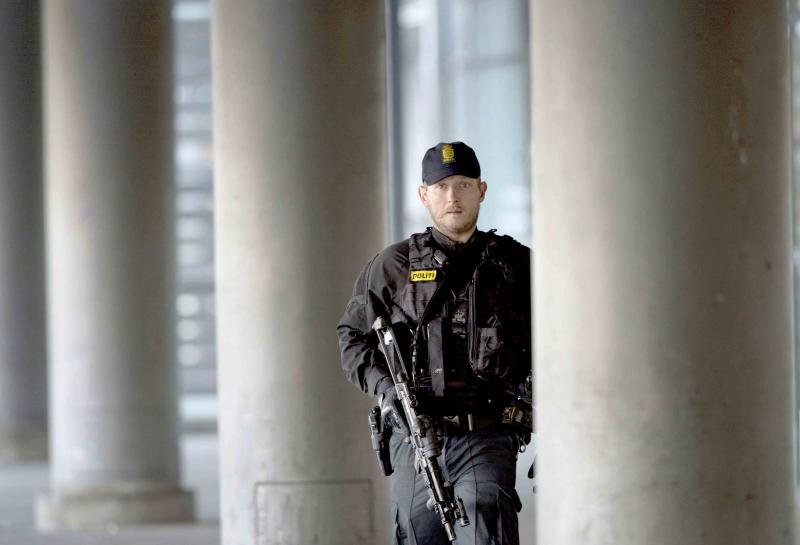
[(20, 483)]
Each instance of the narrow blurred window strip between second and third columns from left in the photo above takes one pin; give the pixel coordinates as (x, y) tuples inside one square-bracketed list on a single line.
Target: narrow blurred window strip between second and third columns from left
[(194, 197)]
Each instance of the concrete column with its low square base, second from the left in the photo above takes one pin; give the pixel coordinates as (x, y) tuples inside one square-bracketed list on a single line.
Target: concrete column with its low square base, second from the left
[(113, 396)]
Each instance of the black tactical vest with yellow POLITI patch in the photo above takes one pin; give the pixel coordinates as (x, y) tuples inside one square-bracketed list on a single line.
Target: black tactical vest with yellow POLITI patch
[(497, 341)]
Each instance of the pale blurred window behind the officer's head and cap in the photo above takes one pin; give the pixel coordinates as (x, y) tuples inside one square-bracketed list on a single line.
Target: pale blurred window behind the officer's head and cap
[(459, 70)]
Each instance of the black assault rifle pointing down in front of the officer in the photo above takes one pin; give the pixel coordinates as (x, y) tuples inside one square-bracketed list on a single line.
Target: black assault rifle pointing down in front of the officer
[(427, 445)]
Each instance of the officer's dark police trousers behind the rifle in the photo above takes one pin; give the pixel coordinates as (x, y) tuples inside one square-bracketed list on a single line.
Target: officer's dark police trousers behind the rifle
[(481, 465)]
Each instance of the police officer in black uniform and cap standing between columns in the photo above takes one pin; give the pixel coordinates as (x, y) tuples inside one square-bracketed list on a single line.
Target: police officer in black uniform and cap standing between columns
[(459, 303)]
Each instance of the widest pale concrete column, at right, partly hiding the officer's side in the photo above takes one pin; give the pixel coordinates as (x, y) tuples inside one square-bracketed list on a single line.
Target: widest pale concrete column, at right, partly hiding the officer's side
[(663, 312)]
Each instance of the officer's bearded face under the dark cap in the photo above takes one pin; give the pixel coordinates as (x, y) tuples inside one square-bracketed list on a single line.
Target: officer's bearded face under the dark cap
[(453, 204)]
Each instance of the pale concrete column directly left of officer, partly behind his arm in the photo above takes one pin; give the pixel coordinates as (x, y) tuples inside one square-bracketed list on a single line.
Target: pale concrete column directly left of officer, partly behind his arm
[(300, 159)]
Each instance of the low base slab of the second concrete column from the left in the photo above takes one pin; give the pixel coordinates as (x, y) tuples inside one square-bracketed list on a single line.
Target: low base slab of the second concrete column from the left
[(98, 508)]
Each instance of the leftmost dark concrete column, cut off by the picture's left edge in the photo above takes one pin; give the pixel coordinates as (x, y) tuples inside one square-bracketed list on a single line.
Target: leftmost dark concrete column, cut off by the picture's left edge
[(23, 348)]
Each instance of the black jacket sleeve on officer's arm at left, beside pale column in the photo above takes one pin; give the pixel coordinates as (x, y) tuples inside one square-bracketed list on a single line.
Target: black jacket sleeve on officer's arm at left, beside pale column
[(362, 362)]
